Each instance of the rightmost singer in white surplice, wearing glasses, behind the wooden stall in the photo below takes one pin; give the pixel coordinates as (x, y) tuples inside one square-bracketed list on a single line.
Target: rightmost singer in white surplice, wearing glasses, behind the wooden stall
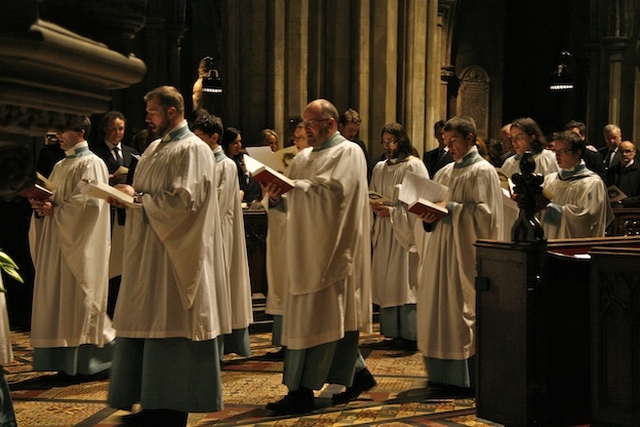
[(580, 205)]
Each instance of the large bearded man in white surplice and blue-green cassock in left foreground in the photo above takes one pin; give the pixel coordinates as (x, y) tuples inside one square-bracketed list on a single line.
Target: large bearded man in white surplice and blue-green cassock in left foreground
[(173, 303)]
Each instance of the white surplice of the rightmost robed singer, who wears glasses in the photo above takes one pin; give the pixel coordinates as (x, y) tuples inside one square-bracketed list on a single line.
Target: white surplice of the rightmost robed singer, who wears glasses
[(583, 203)]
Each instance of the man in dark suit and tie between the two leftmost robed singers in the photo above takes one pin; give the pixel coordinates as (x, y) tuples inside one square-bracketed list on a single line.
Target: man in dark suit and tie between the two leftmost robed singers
[(115, 154)]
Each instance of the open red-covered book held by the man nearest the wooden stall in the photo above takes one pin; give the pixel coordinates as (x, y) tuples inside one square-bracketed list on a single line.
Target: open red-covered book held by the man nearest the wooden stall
[(421, 195)]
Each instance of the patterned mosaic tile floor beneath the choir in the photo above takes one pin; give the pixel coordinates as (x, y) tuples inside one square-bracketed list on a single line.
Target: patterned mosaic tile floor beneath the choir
[(45, 399)]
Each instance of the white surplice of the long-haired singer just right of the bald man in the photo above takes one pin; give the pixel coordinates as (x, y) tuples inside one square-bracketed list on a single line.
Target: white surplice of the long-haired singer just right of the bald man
[(395, 259)]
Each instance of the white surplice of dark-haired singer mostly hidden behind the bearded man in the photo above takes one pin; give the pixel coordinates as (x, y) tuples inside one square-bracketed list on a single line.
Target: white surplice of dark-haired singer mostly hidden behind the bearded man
[(234, 241)]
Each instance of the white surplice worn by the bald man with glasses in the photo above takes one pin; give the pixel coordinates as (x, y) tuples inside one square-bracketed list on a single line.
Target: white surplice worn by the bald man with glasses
[(327, 246)]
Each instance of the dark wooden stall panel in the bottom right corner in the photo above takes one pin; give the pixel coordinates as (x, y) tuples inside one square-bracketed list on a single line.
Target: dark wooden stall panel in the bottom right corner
[(615, 326)]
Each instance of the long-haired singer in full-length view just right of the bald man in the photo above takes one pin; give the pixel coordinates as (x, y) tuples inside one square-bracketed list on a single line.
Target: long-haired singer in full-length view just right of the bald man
[(394, 289)]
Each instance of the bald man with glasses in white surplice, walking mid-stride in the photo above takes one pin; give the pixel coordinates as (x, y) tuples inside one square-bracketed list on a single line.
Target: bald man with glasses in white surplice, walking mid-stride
[(327, 248)]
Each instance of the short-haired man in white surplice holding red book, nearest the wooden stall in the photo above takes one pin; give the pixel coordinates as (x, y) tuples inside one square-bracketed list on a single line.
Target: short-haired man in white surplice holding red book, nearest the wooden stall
[(446, 296)]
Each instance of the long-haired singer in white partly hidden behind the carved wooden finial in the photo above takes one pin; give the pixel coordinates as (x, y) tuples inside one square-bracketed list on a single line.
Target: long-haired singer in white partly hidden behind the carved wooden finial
[(525, 136)]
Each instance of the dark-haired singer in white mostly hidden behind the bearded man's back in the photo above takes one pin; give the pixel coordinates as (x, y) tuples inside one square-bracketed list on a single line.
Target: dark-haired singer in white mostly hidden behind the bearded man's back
[(209, 129)]
